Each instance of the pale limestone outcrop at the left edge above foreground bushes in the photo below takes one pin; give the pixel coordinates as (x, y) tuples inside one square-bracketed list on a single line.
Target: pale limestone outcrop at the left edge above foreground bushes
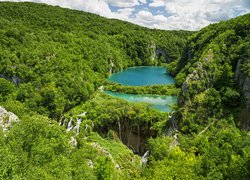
[(7, 119)]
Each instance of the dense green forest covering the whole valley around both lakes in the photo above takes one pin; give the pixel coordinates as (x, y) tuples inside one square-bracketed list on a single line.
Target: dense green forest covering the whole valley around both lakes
[(57, 124)]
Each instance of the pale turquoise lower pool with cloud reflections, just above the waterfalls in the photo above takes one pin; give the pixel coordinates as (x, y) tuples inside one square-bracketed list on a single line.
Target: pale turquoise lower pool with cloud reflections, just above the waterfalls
[(161, 103)]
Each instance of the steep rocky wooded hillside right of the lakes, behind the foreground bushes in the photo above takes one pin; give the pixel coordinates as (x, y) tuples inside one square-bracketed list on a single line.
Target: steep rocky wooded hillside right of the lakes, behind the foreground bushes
[(214, 74)]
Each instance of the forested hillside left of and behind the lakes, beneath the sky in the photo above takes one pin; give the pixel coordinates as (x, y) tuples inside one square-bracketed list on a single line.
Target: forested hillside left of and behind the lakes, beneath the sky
[(59, 57)]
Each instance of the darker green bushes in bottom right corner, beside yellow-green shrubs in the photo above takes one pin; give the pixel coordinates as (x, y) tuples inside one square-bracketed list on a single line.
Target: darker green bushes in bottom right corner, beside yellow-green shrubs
[(219, 151)]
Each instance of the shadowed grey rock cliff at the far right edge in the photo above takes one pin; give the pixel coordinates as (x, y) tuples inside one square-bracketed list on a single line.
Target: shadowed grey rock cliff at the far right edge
[(244, 83)]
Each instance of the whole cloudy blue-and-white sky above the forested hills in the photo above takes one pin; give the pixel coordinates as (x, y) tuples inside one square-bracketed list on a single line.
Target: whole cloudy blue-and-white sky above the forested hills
[(160, 14)]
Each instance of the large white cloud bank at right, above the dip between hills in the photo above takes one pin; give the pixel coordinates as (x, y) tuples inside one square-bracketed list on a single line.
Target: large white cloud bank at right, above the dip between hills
[(191, 14)]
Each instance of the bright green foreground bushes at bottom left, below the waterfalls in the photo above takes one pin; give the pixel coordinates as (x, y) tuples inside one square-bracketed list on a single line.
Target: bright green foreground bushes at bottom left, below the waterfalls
[(38, 148)]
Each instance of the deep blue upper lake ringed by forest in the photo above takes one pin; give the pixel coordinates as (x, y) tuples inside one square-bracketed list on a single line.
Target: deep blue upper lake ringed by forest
[(142, 76)]
